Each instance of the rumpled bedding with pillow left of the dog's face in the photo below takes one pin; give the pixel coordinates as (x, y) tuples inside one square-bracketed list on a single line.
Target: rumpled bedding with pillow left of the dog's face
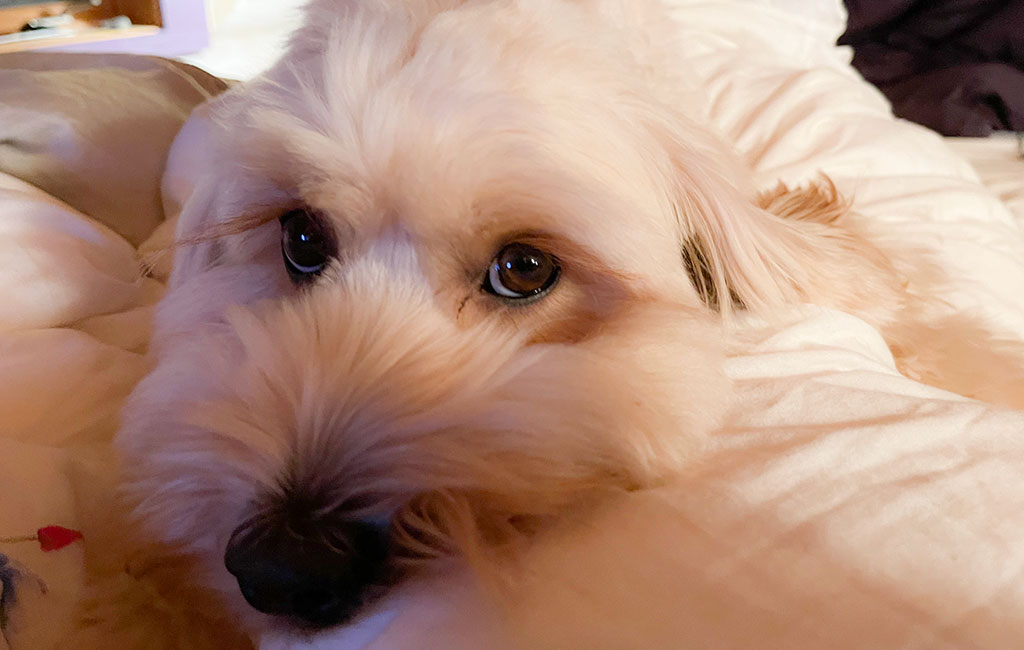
[(92, 134)]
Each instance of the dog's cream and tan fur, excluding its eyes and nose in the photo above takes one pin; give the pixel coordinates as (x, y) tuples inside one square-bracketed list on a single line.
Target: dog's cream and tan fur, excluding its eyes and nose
[(430, 133)]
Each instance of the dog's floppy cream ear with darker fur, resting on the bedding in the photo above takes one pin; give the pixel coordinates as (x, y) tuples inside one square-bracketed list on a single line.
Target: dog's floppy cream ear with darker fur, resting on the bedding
[(762, 252)]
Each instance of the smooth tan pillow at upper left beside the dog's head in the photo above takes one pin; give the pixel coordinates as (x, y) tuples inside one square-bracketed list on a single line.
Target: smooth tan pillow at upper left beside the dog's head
[(108, 118)]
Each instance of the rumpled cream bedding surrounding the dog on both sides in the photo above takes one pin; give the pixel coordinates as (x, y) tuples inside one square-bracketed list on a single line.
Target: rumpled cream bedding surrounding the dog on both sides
[(844, 506)]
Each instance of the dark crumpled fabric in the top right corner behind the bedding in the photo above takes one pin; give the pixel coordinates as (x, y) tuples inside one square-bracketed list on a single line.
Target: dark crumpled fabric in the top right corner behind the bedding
[(955, 66)]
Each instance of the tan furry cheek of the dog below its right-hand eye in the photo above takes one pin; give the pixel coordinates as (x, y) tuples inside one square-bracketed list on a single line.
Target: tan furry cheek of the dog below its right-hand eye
[(626, 411)]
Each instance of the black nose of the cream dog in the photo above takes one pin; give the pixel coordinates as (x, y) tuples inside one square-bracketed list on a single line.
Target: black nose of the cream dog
[(317, 573)]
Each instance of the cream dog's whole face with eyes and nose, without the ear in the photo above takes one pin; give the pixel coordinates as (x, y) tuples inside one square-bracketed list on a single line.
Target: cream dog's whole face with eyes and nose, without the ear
[(455, 308)]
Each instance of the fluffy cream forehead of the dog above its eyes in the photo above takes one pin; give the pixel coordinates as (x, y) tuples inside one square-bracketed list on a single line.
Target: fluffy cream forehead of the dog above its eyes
[(456, 121)]
